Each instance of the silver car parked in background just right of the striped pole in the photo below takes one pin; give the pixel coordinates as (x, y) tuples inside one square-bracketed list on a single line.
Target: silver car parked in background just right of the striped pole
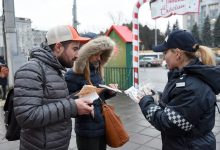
[(149, 62)]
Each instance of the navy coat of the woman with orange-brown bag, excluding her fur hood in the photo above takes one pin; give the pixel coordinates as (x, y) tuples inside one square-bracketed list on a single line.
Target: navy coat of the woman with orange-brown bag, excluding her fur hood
[(86, 125)]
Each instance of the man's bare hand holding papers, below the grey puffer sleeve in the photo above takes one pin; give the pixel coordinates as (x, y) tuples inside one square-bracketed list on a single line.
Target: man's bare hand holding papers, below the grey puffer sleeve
[(83, 106)]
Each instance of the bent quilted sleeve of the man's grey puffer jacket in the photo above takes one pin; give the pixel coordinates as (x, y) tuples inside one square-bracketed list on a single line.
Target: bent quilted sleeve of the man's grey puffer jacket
[(30, 109)]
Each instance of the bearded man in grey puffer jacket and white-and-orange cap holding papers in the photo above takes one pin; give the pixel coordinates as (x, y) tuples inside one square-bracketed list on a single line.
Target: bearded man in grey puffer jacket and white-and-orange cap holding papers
[(42, 105)]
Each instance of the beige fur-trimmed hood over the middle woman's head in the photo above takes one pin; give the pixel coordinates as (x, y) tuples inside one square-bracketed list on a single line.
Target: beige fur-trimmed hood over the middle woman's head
[(101, 44)]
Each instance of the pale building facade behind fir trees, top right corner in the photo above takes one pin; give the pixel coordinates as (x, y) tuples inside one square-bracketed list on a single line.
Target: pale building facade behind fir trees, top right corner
[(209, 8)]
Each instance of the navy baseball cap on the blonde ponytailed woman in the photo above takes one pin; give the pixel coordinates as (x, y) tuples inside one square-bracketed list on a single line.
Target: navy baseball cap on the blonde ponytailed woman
[(177, 39)]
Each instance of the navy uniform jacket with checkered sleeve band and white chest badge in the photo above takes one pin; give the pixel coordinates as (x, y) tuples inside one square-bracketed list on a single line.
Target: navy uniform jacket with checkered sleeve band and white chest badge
[(186, 114)]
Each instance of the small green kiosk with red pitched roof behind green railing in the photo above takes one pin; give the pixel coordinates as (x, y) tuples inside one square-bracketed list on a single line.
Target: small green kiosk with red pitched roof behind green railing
[(119, 68)]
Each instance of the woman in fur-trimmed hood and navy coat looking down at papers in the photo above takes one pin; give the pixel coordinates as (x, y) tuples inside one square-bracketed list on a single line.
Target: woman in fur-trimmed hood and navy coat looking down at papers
[(88, 69)]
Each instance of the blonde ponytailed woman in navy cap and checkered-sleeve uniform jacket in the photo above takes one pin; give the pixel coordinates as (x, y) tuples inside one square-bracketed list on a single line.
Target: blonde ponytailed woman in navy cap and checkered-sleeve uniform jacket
[(186, 111)]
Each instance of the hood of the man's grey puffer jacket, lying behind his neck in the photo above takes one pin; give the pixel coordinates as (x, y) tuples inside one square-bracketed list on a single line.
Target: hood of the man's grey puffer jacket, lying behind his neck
[(45, 54)]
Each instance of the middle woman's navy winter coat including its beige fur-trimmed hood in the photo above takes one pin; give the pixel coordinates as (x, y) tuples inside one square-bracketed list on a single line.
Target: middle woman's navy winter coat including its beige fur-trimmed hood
[(86, 125)]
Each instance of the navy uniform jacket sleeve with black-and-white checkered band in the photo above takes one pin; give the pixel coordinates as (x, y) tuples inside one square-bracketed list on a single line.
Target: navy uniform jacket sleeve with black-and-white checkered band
[(178, 117)]
